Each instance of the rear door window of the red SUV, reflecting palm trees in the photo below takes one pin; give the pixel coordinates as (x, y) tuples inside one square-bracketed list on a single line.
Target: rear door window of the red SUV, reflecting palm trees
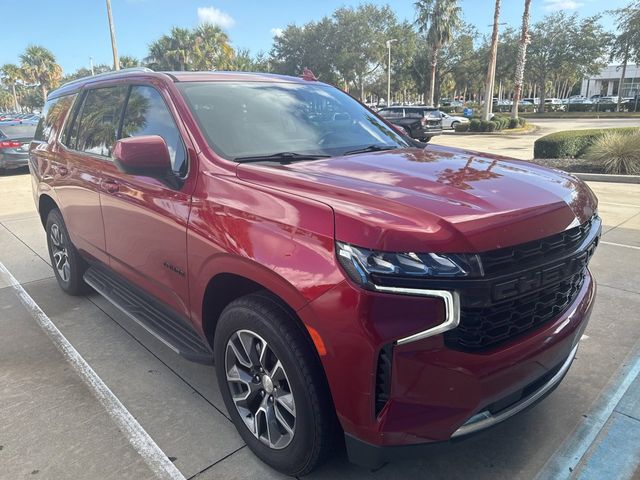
[(99, 120)]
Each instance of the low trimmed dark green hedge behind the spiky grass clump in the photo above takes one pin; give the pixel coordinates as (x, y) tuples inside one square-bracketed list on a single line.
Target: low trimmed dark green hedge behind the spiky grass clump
[(572, 143)]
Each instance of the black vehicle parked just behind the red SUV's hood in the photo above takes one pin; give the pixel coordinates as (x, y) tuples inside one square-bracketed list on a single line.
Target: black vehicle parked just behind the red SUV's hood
[(421, 123)]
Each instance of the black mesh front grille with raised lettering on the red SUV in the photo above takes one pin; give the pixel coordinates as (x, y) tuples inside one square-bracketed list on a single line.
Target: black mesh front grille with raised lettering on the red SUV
[(524, 287)]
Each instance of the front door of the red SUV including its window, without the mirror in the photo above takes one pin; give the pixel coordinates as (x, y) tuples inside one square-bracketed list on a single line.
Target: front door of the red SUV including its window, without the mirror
[(146, 220)]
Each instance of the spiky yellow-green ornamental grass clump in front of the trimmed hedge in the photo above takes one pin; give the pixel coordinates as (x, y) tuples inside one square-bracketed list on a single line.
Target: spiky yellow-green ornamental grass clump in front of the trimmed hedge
[(617, 152)]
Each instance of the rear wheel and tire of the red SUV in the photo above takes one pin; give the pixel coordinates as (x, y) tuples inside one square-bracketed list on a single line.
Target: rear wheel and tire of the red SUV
[(70, 274)]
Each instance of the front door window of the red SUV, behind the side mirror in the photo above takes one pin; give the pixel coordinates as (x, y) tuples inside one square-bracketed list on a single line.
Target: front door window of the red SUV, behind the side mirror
[(148, 114)]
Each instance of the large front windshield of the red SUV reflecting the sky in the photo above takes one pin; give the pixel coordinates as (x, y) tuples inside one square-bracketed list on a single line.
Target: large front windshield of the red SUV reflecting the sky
[(250, 119)]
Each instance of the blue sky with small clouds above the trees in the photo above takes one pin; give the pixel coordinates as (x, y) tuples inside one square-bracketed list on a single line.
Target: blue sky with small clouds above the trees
[(75, 30)]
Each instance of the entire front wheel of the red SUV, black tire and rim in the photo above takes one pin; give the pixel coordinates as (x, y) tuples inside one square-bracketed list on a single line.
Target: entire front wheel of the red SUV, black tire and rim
[(253, 321)]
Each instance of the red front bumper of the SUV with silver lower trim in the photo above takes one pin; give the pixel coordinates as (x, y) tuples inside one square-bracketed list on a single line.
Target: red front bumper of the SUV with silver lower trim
[(436, 393)]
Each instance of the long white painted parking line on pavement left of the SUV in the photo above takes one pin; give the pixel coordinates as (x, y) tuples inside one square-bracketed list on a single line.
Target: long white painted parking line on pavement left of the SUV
[(154, 457)]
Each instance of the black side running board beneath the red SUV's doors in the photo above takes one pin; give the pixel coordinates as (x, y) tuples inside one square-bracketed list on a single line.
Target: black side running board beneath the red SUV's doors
[(175, 332)]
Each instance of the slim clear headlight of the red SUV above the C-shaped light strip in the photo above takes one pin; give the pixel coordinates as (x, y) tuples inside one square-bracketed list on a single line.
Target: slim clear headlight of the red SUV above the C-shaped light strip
[(366, 267)]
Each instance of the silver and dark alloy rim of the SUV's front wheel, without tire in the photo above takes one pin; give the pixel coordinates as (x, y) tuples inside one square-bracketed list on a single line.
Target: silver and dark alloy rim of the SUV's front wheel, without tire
[(260, 389)]
